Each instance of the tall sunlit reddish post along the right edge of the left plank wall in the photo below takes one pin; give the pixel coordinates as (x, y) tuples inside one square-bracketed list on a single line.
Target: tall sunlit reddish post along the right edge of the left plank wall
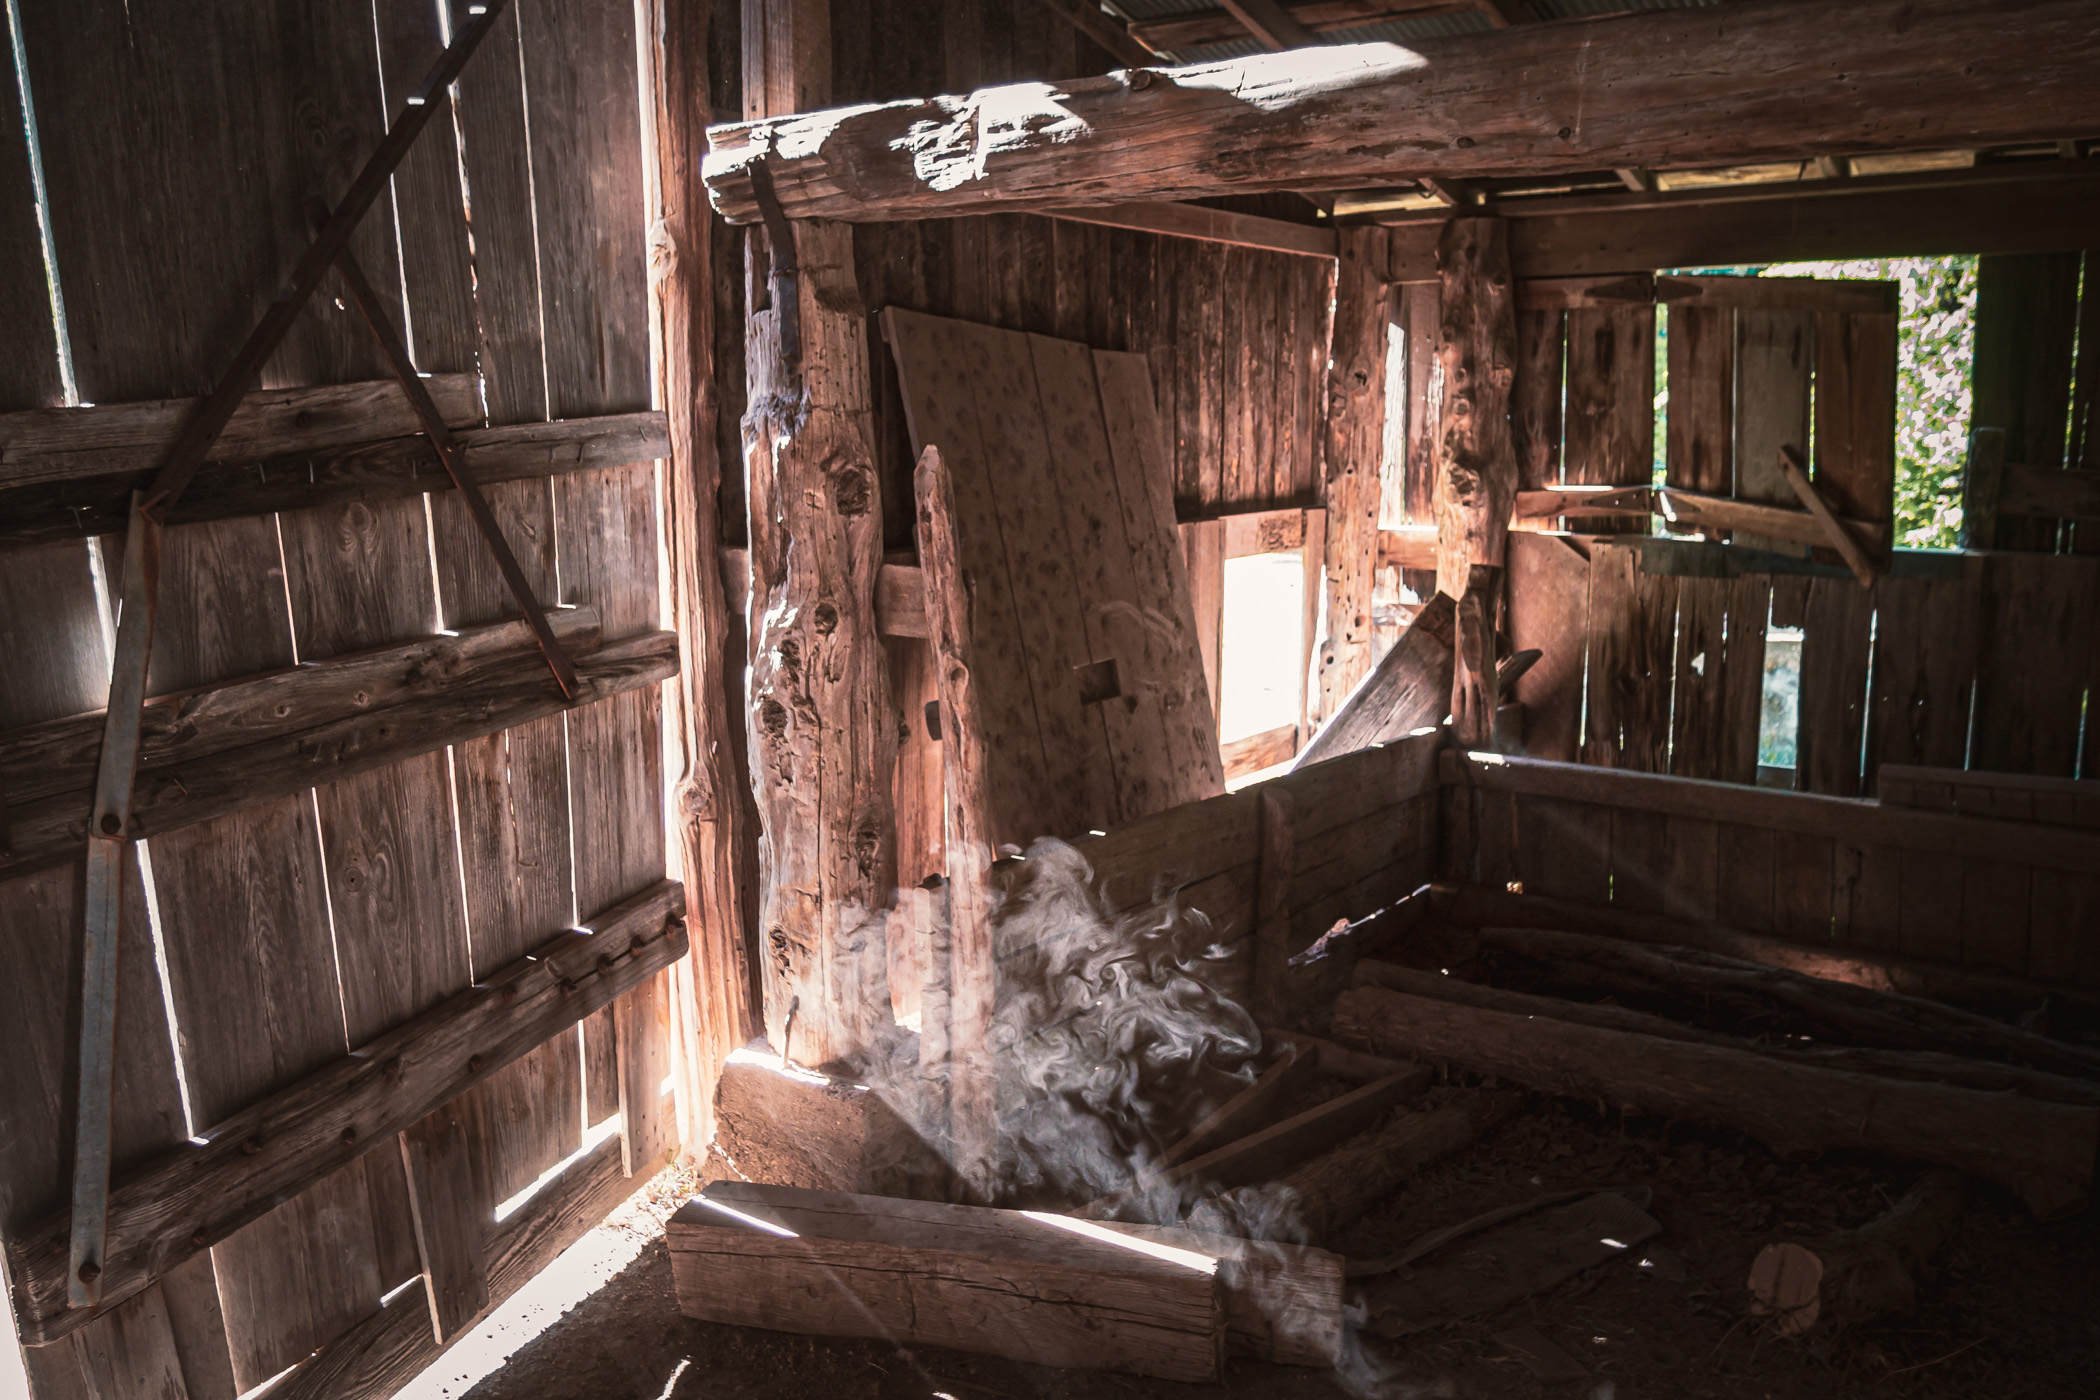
[(709, 990)]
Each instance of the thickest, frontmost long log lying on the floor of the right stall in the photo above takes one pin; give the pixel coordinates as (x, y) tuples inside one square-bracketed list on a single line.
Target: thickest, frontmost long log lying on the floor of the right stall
[(2044, 1153)]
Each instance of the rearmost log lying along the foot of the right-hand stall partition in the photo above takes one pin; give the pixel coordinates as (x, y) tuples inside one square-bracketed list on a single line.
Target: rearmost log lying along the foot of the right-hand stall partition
[(1994, 994)]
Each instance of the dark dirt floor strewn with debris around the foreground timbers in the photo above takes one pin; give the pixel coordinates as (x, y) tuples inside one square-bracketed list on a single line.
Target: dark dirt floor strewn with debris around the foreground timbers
[(2013, 1311)]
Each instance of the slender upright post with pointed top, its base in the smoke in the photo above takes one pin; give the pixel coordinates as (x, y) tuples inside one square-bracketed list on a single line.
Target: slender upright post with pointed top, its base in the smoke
[(973, 1095)]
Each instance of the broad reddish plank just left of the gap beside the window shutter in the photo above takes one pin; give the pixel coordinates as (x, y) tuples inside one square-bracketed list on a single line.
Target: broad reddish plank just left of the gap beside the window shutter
[(1612, 404)]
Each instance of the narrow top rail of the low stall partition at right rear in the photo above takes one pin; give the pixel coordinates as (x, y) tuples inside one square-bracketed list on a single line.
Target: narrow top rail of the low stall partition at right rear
[(1843, 820)]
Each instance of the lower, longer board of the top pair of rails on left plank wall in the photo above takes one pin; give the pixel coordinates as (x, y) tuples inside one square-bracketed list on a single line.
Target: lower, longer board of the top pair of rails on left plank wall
[(337, 471)]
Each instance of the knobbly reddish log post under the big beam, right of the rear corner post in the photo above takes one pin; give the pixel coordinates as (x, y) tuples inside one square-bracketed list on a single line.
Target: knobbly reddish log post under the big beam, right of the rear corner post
[(1475, 454)]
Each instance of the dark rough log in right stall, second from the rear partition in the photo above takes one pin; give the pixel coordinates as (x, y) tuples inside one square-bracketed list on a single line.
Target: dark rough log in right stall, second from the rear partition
[(1752, 992)]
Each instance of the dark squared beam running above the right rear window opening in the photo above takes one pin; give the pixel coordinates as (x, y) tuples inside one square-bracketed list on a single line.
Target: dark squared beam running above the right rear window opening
[(1988, 211)]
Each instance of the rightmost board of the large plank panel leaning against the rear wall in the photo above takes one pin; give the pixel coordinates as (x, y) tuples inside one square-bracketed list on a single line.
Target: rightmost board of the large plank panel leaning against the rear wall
[(1181, 677)]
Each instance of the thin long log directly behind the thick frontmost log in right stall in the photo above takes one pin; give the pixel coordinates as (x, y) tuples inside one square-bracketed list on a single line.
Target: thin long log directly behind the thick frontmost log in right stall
[(1918, 1065)]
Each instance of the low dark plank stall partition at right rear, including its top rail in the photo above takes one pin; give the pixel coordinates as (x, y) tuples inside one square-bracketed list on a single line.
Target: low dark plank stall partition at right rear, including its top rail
[(1811, 870)]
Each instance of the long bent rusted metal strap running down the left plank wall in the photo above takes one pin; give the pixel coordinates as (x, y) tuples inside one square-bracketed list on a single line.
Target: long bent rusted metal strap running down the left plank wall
[(108, 843)]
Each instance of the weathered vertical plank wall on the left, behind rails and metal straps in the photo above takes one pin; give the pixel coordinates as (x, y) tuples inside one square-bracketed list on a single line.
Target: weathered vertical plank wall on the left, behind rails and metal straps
[(180, 150)]
